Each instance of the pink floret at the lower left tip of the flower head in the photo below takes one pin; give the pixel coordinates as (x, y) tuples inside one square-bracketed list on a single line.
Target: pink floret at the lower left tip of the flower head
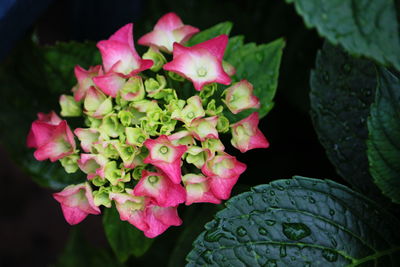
[(76, 202)]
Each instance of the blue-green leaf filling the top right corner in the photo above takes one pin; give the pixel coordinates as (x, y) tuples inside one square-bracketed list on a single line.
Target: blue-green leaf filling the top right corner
[(363, 27)]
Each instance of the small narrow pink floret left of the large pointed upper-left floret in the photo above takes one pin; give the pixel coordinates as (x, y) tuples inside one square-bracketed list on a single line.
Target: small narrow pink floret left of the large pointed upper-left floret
[(85, 81)]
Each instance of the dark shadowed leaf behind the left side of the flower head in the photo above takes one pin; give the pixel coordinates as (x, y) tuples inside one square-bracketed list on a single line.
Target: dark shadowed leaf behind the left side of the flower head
[(31, 81)]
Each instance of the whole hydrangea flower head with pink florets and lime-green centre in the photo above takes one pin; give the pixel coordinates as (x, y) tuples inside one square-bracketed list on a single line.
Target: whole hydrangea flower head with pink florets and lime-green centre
[(150, 135)]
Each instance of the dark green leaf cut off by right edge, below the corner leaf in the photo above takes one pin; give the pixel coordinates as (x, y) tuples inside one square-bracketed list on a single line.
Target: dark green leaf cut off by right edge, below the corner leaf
[(384, 135)]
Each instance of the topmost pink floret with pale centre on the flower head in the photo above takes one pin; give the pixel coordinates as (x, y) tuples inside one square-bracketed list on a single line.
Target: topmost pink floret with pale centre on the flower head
[(168, 30)]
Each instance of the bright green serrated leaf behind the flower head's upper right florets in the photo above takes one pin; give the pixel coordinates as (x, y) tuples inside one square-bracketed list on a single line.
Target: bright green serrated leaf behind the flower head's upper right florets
[(259, 64)]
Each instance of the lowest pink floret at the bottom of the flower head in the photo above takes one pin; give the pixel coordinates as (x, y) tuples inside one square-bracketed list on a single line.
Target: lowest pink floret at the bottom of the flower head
[(153, 220)]
